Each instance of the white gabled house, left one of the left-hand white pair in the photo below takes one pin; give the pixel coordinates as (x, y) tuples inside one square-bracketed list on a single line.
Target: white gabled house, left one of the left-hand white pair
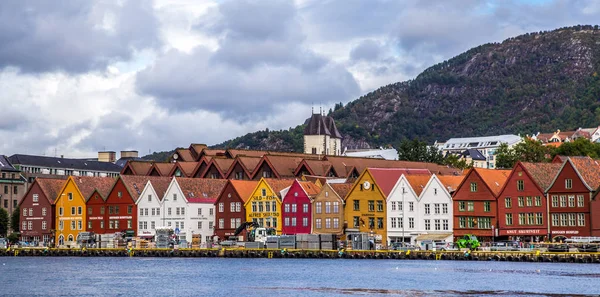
[(150, 211)]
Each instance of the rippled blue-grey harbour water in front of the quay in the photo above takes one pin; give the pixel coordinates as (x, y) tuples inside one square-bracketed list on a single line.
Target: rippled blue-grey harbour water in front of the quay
[(76, 276)]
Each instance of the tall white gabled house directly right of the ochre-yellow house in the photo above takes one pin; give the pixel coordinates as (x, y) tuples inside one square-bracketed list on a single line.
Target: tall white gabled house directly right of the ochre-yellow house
[(402, 212)]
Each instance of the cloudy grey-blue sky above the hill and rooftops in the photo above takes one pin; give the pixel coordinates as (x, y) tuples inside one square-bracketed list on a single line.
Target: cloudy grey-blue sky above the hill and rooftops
[(77, 76)]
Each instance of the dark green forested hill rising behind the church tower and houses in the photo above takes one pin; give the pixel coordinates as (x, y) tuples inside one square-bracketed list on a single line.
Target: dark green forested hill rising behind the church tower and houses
[(534, 82)]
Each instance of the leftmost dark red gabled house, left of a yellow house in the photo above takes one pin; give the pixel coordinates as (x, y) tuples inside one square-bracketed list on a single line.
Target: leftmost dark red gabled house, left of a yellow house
[(37, 210)]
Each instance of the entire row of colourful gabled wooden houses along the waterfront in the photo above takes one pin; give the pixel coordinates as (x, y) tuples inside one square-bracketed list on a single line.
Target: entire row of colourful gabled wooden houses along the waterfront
[(533, 201)]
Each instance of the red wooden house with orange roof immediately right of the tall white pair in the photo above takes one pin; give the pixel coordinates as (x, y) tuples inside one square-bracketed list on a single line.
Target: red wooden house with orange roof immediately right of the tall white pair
[(474, 203)]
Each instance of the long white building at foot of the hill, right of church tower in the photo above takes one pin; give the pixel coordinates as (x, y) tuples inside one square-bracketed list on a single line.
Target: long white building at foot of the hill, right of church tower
[(486, 145)]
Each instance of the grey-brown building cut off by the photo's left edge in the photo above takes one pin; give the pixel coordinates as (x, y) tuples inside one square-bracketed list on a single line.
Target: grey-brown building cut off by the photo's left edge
[(12, 185)]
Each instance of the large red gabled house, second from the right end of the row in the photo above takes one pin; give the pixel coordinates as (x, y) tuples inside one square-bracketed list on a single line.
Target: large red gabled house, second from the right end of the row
[(522, 203)]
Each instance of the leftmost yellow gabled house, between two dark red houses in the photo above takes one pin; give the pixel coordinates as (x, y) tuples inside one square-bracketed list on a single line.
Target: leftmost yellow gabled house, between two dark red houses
[(71, 206)]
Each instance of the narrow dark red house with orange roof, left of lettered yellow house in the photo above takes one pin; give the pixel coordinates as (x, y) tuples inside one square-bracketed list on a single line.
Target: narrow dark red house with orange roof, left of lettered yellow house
[(233, 197)]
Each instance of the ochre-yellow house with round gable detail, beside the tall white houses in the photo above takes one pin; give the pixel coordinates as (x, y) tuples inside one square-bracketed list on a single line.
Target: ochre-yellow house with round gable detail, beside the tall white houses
[(365, 206)]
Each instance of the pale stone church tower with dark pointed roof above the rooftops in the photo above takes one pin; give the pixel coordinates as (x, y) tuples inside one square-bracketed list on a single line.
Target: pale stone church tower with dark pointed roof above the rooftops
[(321, 136)]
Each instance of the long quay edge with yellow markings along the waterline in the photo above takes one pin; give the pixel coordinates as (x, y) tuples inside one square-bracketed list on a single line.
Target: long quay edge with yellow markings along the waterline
[(519, 256)]
